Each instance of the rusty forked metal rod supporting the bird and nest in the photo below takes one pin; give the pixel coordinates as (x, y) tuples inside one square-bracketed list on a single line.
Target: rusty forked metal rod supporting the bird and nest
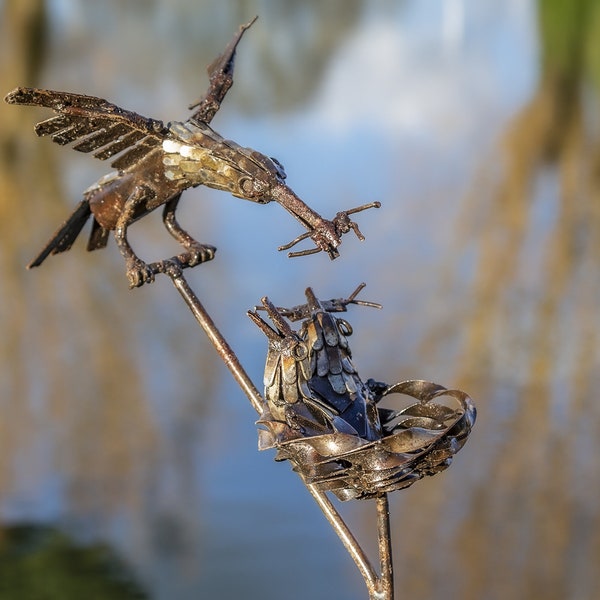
[(380, 588)]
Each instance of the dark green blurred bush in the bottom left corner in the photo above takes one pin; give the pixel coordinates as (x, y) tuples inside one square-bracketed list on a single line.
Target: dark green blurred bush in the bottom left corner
[(38, 563)]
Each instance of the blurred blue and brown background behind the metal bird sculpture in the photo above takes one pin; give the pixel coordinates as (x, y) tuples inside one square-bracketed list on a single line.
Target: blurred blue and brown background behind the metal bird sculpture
[(128, 461)]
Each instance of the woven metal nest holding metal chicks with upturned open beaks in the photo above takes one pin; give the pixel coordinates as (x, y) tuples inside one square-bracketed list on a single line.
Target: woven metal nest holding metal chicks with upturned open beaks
[(322, 417)]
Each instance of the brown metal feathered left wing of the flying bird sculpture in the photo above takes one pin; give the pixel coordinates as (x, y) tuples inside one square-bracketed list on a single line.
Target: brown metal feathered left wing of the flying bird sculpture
[(95, 125)]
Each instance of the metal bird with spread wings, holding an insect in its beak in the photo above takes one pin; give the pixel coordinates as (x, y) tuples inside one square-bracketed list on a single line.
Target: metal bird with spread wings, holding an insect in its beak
[(156, 162)]
